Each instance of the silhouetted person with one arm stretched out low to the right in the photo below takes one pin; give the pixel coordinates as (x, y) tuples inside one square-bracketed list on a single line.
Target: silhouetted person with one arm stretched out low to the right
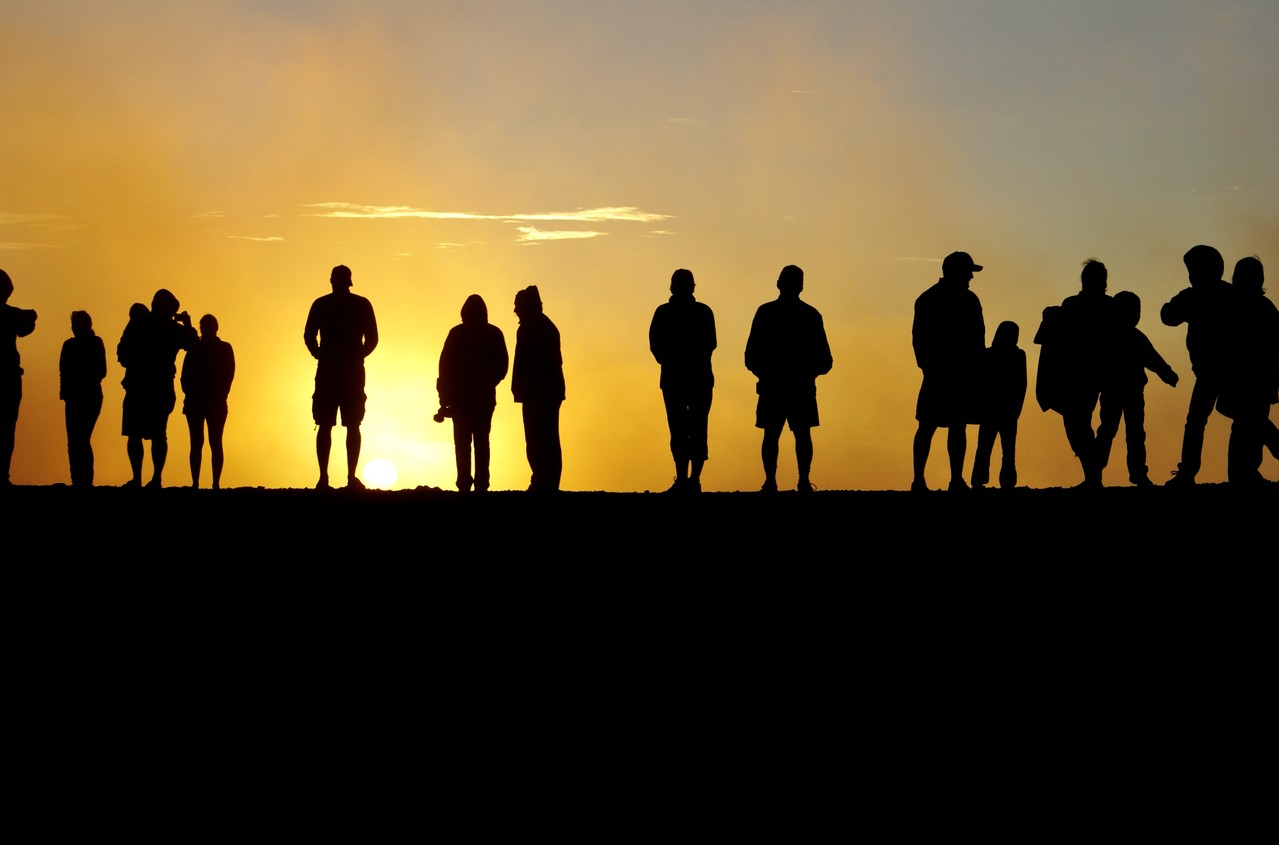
[(1124, 389)]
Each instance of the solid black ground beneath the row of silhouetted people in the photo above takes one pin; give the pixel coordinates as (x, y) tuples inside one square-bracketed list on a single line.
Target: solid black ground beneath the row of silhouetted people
[(622, 651)]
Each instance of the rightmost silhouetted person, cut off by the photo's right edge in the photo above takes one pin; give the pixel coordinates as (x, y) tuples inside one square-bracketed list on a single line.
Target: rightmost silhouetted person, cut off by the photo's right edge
[(1252, 384)]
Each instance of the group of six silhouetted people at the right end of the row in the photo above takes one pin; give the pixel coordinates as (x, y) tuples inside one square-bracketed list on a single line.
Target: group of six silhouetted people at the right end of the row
[(1094, 353)]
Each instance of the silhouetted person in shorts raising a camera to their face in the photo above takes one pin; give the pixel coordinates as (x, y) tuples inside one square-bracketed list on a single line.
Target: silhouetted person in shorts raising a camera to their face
[(149, 353)]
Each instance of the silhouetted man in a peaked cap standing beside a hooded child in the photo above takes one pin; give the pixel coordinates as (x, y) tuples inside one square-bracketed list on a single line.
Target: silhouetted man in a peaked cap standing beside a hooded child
[(950, 338)]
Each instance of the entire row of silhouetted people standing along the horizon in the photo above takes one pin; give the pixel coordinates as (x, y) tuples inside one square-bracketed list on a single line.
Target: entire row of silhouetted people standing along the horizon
[(1093, 353)]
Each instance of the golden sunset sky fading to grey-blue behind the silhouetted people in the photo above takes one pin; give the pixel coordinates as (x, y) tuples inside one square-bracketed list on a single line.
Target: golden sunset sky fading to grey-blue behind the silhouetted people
[(235, 151)]
